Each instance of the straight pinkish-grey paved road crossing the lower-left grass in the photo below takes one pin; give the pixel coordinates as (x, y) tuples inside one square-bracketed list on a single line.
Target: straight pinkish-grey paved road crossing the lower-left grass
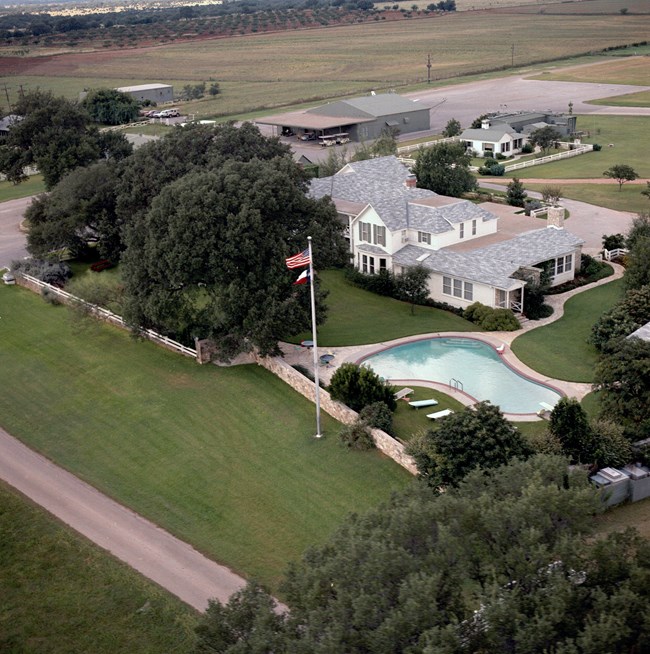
[(171, 563)]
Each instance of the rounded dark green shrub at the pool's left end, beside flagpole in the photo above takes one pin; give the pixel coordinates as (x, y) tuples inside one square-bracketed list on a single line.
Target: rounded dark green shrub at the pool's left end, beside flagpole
[(359, 386)]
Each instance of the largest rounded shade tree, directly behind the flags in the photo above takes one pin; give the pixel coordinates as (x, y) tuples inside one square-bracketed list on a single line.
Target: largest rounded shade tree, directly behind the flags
[(207, 260)]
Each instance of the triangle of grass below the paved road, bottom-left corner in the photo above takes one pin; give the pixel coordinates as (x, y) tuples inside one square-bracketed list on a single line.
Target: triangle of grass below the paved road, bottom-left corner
[(61, 594)]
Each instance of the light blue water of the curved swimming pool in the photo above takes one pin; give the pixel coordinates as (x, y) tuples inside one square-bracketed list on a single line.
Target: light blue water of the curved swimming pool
[(475, 364)]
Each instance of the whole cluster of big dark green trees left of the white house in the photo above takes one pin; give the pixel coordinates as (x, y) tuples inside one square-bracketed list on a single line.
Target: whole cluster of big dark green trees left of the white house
[(200, 220)]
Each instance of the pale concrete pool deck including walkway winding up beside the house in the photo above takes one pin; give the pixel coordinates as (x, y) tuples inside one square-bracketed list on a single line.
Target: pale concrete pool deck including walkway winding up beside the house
[(296, 354)]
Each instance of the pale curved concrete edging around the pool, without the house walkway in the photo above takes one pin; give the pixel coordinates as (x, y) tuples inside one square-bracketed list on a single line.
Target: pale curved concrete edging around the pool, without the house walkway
[(492, 339)]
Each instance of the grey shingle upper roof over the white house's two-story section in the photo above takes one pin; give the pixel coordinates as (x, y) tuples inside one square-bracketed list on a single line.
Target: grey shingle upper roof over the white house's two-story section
[(380, 183)]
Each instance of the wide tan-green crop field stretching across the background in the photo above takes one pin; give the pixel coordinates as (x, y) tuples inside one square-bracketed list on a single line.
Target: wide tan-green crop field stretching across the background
[(272, 70)]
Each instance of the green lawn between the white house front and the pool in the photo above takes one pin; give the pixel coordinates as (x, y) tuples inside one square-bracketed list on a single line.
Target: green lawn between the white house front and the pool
[(357, 317)]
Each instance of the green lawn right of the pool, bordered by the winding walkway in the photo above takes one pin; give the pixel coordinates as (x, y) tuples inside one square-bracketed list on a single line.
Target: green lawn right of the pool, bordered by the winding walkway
[(560, 349)]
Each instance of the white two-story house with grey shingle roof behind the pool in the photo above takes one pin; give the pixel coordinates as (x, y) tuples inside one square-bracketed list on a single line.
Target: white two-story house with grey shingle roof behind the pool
[(392, 225)]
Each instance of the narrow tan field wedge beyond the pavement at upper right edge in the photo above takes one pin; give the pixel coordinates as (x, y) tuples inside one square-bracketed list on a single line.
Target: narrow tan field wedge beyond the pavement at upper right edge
[(620, 70)]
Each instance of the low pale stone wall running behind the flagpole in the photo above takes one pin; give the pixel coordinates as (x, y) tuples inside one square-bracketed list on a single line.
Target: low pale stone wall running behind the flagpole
[(385, 443)]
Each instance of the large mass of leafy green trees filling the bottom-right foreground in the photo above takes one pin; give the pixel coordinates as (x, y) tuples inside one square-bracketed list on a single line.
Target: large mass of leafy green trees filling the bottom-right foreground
[(503, 563)]
